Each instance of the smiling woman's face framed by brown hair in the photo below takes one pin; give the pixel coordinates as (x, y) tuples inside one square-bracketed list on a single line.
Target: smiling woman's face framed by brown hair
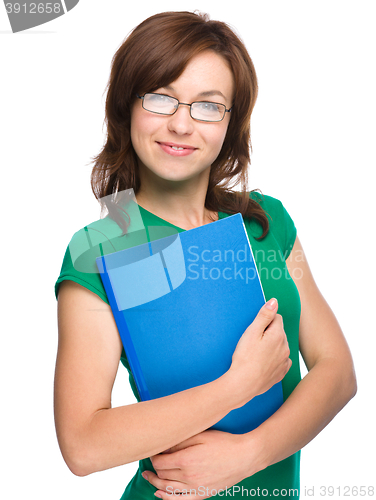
[(155, 138)]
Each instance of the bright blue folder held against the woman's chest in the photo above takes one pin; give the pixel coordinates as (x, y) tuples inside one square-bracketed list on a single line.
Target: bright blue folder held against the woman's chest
[(181, 304)]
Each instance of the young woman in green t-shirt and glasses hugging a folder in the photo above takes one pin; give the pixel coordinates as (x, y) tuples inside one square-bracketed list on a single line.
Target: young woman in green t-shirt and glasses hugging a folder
[(180, 96)]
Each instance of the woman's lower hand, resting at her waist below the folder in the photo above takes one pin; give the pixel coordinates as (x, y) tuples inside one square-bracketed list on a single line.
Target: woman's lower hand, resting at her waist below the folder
[(206, 464)]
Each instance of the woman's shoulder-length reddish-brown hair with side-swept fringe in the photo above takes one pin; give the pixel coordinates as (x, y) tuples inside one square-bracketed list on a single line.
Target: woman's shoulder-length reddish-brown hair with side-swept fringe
[(154, 55)]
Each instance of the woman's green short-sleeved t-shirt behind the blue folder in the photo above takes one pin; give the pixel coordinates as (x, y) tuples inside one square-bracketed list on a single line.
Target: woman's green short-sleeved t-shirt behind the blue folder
[(282, 478)]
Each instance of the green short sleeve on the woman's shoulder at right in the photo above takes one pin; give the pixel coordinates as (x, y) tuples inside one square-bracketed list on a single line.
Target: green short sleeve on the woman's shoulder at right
[(280, 222)]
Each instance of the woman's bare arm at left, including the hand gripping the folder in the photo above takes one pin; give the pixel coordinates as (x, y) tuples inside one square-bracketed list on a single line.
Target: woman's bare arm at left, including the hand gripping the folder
[(93, 436)]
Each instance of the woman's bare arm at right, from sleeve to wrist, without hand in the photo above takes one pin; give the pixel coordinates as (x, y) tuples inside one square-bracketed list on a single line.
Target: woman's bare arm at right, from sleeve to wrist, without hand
[(330, 382)]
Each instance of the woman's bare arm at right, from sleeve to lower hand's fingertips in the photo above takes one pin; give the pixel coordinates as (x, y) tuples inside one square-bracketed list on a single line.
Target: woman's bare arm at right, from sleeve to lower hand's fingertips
[(216, 460)]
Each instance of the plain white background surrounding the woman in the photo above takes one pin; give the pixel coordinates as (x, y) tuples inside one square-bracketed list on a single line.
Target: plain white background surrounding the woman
[(313, 135)]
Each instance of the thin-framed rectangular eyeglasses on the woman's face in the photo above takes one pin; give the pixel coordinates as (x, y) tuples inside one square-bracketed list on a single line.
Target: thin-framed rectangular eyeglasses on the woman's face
[(204, 111)]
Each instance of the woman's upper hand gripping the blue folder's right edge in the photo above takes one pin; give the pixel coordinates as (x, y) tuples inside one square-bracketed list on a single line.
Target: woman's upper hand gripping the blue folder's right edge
[(261, 358)]
